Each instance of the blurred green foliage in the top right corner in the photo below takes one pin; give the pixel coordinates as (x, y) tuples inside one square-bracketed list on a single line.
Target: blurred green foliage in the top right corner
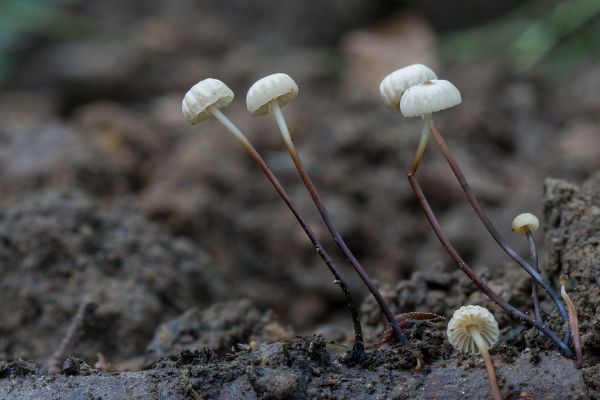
[(555, 35)]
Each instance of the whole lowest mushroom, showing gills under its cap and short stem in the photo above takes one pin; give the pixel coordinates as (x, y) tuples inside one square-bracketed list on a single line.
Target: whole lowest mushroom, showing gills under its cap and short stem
[(474, 330)]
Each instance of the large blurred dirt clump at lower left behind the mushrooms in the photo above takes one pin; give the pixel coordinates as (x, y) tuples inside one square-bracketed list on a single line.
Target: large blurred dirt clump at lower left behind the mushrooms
[(58, 248)]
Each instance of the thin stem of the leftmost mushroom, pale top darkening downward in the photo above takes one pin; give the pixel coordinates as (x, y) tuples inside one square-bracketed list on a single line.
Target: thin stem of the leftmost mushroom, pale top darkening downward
[(358, 350)]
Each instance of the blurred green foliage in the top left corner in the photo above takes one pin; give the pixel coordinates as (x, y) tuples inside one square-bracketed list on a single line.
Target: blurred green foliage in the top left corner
[(22, 19)]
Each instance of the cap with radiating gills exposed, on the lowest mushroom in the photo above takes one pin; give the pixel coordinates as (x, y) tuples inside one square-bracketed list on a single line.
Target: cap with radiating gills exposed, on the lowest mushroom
[(465, 317)]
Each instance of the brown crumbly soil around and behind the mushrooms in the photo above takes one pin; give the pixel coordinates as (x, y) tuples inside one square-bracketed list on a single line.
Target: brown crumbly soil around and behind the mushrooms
[(202, 283)]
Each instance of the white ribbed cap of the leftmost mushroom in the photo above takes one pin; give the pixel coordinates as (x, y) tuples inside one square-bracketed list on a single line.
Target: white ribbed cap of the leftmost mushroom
[(206, 93)]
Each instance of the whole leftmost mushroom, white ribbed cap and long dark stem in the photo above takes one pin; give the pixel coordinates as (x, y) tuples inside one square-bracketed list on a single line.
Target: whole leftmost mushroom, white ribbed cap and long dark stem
[(206, 98)]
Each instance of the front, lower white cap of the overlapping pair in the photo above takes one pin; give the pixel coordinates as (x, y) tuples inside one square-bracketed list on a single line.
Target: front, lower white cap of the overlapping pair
[(428, 97)]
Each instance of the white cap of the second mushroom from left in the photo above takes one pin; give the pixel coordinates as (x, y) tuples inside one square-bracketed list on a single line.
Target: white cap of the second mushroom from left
[(279, 87)]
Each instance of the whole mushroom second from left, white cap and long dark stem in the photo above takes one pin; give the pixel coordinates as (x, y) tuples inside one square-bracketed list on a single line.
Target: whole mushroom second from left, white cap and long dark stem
[(270, 94)]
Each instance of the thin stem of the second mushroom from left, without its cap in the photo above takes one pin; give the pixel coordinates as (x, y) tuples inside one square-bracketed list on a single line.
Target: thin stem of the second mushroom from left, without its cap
[(276, 109)]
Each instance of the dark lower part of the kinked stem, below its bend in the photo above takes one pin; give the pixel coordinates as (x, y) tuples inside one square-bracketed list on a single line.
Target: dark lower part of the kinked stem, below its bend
[(512, 311)]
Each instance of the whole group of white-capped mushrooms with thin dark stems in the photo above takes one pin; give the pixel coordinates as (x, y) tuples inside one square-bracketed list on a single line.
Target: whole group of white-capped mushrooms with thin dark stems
[(416, 92)]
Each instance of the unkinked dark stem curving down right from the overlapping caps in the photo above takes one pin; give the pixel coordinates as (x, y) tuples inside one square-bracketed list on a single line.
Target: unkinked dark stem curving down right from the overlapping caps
[(496, 234)]
